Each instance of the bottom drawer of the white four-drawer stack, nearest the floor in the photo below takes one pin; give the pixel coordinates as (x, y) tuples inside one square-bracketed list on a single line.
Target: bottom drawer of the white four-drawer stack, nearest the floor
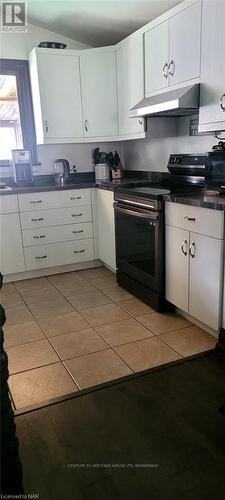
[(58, 254)]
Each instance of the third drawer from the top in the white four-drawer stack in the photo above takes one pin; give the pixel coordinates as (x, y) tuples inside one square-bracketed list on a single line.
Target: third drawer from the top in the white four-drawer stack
[(34, 237)]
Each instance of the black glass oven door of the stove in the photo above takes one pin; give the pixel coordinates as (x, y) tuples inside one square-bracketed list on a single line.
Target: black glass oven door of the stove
[(140, 244)]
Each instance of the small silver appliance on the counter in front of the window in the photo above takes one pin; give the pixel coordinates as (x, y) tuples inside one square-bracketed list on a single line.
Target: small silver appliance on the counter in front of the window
[(22, 167)]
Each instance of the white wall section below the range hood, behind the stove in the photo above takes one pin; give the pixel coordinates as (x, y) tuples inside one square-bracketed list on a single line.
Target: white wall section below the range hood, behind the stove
[(167, 135)]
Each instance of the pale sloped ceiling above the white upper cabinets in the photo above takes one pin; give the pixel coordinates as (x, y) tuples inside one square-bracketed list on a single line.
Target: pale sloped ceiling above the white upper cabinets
[(96, 23)]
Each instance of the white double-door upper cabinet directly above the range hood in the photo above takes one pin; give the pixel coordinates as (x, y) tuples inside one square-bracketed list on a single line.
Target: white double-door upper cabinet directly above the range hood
[(172, 50)]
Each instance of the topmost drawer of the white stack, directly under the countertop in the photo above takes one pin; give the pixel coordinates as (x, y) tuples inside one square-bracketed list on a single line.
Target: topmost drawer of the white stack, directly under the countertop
[(54, 199)]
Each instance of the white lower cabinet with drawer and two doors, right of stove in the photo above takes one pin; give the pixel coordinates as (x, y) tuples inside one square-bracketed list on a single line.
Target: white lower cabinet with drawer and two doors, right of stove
[(194, 261)]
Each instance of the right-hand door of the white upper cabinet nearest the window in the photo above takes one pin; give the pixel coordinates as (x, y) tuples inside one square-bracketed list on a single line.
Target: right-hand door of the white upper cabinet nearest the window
[(99, 99)]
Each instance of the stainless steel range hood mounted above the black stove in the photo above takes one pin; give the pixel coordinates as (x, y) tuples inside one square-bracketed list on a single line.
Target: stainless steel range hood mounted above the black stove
[(179, 102)]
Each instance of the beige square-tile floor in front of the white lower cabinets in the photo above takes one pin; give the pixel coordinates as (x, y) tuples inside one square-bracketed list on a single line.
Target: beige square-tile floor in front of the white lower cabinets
[(75, 330)]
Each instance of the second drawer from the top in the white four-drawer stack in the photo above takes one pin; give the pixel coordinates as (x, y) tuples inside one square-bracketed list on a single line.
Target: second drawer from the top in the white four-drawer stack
[(57, 217)]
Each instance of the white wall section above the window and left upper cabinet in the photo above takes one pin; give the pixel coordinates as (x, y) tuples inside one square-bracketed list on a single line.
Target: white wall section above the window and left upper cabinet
[(18, 45)]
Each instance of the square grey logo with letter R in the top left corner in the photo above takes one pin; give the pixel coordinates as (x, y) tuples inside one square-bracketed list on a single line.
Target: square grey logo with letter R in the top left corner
[(13, 17)]
